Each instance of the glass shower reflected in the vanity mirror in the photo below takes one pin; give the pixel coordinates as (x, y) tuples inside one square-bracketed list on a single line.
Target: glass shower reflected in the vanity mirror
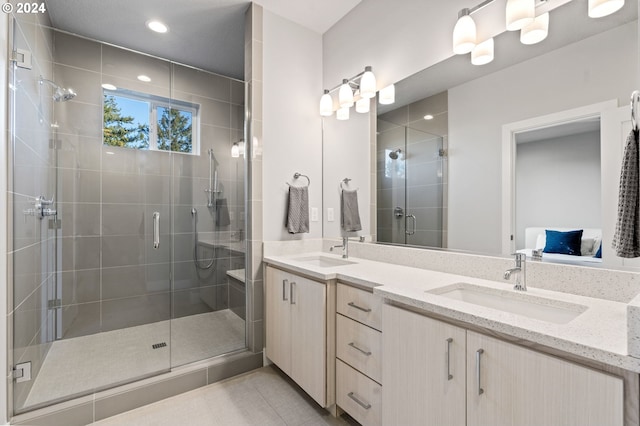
[(411, 186)]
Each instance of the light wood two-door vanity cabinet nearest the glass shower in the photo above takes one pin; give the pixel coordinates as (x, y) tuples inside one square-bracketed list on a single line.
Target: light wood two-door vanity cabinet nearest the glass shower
[(296, 331)]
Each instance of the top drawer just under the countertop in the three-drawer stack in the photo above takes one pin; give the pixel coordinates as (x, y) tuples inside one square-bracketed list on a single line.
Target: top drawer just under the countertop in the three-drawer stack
[(361, 305)]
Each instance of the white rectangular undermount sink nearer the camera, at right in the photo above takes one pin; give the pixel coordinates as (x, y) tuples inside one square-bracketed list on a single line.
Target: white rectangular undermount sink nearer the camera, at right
[(518, 303)]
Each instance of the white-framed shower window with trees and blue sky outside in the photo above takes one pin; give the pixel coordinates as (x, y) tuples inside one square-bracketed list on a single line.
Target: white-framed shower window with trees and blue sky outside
[(141, 121)]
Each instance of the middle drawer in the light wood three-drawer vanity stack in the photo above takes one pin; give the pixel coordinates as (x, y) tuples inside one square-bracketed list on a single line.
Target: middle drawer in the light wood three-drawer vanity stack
[(359, 346)]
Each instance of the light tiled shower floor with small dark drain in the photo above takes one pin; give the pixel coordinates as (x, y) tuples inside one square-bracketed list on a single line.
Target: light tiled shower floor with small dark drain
[(83, 364)]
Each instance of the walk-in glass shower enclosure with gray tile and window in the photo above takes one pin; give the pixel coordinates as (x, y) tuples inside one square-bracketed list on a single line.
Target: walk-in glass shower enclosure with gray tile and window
[(127, 208)]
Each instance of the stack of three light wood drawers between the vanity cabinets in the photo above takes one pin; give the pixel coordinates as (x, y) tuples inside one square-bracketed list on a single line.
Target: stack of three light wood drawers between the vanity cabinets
[(359, 354)]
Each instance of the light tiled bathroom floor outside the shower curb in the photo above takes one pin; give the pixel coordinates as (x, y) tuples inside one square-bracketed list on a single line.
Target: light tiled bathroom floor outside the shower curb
[(263, 397)]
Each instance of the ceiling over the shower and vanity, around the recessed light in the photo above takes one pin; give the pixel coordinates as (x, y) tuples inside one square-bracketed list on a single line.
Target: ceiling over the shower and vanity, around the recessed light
[(207, 34)]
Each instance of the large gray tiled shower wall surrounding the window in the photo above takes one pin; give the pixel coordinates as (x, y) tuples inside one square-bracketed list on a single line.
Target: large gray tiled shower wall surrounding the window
[(111, 277)]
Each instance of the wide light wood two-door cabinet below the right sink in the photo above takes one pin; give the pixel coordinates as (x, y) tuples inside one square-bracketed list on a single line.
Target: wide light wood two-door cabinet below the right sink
[(426, 377)]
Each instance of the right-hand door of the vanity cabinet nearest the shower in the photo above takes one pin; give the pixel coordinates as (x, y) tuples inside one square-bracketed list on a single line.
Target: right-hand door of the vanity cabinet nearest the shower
[(308, 337)]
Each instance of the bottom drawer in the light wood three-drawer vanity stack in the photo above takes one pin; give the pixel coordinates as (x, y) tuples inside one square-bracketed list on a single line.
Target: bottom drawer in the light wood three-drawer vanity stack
[(358, 395)]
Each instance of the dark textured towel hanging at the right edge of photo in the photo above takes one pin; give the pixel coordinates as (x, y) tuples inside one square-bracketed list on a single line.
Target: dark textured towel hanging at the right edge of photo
[(626, 240)]
